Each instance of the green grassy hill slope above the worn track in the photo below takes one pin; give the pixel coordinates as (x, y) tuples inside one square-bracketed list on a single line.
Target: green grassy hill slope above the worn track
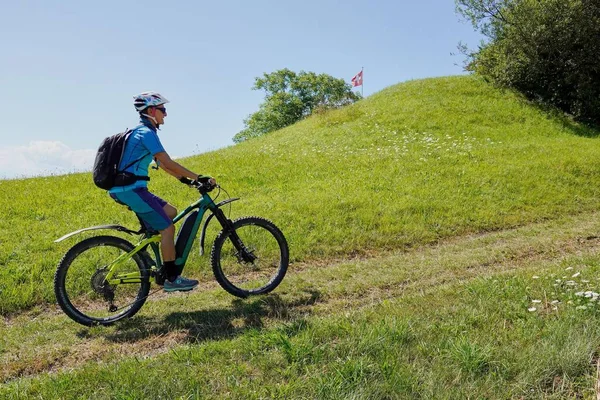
[(412, 164)]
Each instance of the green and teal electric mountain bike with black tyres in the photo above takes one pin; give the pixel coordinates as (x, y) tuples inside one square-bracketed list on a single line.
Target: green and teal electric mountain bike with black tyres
[(103, 279)]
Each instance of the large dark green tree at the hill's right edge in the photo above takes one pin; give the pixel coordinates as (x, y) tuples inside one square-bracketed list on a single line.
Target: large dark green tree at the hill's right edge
[(547, 49)]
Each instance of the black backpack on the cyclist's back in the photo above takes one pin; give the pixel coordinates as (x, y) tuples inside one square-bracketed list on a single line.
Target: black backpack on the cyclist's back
[(106, 173)]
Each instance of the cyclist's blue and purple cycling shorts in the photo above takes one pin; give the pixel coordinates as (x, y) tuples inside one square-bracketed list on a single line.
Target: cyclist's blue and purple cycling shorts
[(146, 205)]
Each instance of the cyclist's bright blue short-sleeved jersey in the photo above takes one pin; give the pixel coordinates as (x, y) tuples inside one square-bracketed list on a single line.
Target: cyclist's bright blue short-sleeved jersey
[(143, 142)]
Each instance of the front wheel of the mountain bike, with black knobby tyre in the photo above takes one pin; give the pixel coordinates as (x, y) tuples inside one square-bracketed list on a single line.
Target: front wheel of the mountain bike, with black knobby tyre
[(260, 267)]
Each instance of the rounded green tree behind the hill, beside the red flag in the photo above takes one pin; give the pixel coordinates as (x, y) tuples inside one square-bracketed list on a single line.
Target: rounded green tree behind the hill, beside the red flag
[(291, 96)]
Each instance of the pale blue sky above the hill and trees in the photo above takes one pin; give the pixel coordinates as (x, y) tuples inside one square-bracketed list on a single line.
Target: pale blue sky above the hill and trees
[(69, 69)]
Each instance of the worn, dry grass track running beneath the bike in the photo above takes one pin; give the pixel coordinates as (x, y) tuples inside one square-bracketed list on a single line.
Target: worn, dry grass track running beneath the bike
[(47, 341)]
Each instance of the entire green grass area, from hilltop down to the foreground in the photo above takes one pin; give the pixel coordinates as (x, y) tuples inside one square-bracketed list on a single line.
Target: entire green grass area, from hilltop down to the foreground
[(423, 222)]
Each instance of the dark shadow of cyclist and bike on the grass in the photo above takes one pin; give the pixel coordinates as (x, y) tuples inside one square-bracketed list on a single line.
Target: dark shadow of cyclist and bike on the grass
[(213, 324)]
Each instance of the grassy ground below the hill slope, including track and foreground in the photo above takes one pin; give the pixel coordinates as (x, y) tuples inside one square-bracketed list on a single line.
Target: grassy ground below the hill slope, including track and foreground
[(446, 321)]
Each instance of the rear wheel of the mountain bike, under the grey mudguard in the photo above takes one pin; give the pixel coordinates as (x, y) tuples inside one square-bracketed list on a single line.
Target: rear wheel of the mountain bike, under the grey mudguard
[(80, 287)]
